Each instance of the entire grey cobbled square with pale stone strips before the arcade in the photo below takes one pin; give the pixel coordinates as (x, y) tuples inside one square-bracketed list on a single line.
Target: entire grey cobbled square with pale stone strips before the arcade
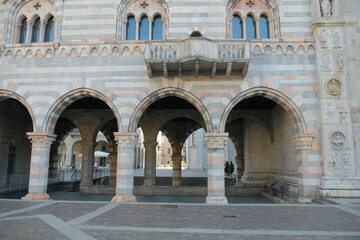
[(87, 220)]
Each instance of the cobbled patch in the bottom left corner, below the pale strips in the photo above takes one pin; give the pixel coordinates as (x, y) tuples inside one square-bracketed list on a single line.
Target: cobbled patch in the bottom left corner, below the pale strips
[(30, 229)]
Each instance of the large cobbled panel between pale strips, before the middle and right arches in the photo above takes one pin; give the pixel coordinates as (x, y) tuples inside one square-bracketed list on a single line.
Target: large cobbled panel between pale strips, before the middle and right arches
[(275, 217)]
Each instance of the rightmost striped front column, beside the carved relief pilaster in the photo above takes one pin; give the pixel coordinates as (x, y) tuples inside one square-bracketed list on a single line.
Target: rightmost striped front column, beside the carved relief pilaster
[(303, 144)]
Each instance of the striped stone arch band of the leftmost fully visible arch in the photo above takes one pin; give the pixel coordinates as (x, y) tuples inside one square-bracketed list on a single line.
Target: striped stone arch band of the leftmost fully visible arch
[(63, 102)]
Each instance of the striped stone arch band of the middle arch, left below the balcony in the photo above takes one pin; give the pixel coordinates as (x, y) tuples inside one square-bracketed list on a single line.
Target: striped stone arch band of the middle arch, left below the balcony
[(170, 92)]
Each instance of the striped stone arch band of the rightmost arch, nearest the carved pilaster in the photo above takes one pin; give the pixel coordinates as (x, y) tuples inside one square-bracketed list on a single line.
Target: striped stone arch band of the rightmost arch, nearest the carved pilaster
[(274, 95)]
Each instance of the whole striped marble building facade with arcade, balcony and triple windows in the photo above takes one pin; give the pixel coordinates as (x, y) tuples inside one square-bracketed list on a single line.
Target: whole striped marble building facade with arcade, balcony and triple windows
[(277, 77)]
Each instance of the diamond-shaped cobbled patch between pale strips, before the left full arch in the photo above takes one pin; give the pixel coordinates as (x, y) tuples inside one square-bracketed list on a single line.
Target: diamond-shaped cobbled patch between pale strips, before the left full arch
[(65, 211)]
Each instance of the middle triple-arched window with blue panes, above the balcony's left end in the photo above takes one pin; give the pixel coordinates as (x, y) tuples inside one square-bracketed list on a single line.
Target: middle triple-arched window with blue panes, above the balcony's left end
[(142, 20)]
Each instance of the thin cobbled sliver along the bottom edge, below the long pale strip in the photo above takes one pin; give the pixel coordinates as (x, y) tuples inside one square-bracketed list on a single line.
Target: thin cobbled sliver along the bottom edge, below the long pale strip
[(129, 235)]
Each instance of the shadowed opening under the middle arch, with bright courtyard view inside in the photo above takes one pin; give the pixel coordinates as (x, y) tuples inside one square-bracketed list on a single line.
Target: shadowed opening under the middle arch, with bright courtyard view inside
[(166, 124)]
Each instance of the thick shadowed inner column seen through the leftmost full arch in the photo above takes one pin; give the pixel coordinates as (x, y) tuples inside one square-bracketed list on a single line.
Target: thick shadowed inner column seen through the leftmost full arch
[(87, 165)]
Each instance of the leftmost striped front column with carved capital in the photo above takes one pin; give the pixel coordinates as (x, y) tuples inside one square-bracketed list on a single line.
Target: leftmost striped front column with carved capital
[(40, 151)]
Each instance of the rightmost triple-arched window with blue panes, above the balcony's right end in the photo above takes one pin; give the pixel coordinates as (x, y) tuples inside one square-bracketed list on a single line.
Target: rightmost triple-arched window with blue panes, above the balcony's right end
[(253, 19)]
